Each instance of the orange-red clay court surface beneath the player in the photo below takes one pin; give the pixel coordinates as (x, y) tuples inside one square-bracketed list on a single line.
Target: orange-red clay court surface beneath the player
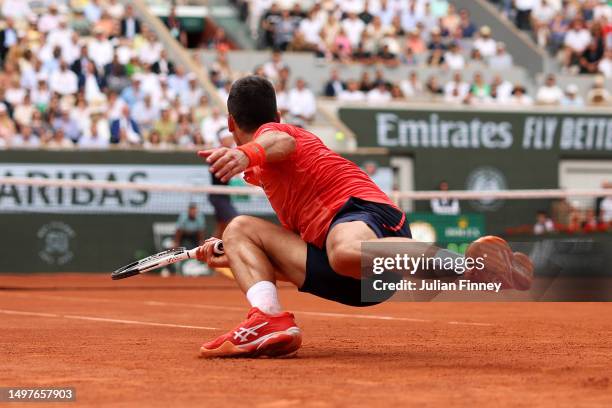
[(93, 334)]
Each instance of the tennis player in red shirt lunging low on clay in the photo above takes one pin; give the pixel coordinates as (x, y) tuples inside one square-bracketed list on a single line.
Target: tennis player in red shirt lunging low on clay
[(327, 206)]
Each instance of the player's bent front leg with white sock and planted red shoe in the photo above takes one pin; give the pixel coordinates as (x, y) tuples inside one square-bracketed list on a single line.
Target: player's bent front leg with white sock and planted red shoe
[(258, 252)]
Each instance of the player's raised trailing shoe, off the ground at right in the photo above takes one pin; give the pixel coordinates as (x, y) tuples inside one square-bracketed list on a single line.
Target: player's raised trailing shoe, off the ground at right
[(514, 270)]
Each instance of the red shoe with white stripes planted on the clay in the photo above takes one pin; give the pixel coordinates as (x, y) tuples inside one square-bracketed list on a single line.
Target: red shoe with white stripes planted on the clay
[(259, 335)]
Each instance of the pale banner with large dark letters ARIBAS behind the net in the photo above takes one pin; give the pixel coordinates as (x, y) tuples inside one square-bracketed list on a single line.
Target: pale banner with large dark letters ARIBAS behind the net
[(76, 200)]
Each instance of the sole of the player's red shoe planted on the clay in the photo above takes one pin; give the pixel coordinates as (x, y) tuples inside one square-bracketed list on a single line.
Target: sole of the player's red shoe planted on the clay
[(277, 344)]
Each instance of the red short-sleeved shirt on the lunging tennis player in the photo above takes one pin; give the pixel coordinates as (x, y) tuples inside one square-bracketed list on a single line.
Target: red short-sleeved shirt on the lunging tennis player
[(307, 189)]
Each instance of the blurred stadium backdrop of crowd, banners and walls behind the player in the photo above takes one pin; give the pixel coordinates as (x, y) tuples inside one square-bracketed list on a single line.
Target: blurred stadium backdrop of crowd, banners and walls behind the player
[(104, 102)]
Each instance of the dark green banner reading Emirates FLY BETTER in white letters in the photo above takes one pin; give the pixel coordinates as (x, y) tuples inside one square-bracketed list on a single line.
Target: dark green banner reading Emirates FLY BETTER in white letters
[(483, 130)]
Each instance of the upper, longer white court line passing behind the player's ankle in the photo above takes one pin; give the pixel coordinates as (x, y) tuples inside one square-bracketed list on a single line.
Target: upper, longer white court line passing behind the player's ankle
[(240, 309)]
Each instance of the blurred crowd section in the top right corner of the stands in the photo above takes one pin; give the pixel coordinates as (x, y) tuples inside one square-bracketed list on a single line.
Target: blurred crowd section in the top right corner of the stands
[(579, 32)]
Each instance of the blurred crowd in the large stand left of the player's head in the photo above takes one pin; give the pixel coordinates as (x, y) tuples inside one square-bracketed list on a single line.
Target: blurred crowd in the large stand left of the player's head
[(93, 76)]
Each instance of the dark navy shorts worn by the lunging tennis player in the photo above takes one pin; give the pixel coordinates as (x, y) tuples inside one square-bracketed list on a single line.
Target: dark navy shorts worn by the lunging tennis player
[(322, 281)]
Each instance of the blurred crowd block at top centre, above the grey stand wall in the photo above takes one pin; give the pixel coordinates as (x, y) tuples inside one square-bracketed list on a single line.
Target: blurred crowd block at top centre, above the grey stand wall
[(389, 32)]
